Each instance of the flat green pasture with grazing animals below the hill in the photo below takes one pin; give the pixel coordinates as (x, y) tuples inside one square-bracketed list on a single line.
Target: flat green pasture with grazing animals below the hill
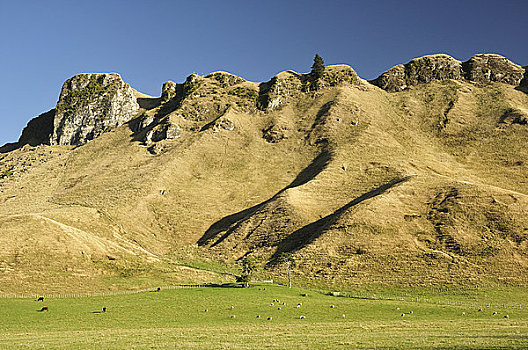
[(176, 319)]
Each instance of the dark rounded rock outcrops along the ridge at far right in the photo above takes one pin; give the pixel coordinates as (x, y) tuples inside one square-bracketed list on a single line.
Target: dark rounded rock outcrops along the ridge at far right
[(482, 69)]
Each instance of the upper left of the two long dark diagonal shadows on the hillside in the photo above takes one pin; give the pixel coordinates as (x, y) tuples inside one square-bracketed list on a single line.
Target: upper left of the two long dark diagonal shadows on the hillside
[(226, 224)]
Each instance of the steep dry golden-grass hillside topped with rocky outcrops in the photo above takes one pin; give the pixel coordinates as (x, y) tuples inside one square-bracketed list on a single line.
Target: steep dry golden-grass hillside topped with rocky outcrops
[(422, 184)]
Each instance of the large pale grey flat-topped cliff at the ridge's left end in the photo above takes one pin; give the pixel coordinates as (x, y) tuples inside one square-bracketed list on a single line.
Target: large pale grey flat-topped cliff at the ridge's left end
[(90, 104)]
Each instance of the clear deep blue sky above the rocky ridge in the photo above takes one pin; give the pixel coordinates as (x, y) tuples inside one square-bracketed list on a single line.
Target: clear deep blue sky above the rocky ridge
[(43, 43)]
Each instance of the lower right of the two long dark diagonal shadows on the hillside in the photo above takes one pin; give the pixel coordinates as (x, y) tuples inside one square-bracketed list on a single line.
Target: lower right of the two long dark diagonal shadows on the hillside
[(307, 234)]
